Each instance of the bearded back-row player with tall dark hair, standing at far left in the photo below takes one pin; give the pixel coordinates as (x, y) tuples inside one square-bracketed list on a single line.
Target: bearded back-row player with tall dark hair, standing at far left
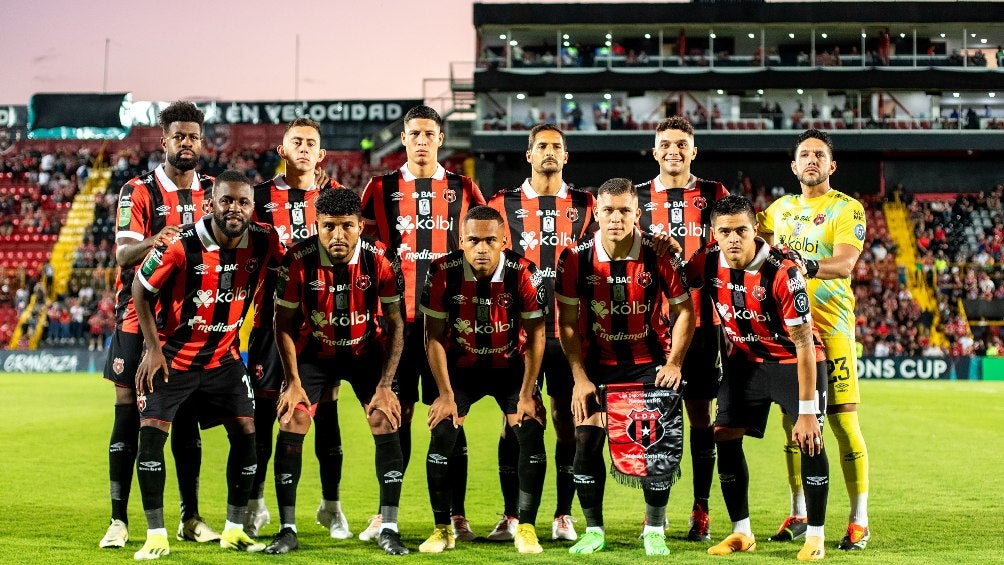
[(151, 209)]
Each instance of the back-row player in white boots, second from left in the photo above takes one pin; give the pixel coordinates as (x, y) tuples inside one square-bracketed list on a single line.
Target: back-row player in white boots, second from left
[(288, 203)]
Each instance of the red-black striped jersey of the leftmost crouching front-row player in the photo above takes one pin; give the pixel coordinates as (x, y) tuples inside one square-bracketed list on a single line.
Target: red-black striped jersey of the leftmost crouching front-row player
[(204, 292)]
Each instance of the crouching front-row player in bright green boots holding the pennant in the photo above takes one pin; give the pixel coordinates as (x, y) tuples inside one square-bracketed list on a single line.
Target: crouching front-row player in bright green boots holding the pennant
[(609, 291)]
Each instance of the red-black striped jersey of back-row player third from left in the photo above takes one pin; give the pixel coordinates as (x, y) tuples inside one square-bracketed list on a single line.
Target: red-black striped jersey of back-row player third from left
[(419, 220)]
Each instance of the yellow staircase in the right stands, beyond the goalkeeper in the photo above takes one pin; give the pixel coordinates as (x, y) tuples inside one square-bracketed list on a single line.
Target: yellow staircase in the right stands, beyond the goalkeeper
[(901, 229)]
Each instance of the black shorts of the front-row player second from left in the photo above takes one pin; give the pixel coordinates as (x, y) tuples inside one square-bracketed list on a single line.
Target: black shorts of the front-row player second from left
[(321, 374)]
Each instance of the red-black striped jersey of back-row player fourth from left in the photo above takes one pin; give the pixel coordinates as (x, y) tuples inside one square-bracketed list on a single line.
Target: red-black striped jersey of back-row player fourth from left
[(541, 227)]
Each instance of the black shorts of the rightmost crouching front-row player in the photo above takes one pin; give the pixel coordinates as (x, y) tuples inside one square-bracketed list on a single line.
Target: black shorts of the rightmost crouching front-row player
[(749, 389)]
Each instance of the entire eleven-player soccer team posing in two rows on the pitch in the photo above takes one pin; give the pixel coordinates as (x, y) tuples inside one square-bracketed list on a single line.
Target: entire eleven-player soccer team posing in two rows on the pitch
[(612, 315)]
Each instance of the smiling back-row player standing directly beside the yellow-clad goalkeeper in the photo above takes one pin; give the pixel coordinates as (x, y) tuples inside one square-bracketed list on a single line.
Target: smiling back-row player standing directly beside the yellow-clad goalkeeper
[(678, 204)]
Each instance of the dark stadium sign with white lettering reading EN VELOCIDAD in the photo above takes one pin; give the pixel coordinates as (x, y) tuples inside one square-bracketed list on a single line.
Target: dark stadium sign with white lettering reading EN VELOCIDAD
[(326, 112)]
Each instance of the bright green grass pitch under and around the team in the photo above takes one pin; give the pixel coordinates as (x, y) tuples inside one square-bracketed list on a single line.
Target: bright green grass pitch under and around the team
[(935, 448)]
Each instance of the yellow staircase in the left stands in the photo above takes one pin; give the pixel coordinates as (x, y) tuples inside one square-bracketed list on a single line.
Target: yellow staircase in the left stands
[(78, 221)]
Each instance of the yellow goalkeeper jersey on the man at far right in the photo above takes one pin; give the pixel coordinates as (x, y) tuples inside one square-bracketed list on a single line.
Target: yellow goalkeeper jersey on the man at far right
[(814, 227)]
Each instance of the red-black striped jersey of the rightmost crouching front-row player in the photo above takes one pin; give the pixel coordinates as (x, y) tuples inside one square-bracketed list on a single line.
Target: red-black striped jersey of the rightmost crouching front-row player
[(758, 305)]
